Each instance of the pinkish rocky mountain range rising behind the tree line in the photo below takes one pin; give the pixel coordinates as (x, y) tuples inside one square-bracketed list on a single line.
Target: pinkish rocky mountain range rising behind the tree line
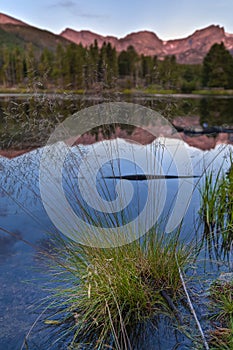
[(190, 50)]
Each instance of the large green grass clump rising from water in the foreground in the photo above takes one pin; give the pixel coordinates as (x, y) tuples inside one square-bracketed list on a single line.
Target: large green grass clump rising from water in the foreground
[(110, 294)]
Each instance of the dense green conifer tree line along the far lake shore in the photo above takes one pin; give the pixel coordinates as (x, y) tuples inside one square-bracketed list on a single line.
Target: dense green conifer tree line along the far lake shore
[(77, 67)]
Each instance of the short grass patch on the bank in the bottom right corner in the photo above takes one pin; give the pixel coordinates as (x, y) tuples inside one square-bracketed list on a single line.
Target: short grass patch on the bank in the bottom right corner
[(221, 294)]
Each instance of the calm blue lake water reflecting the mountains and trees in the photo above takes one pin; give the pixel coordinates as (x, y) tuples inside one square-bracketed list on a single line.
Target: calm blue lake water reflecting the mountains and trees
[(26, 124)]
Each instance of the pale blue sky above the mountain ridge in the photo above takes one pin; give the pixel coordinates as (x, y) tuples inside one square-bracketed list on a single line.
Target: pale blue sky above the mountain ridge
[(167, 18)]
